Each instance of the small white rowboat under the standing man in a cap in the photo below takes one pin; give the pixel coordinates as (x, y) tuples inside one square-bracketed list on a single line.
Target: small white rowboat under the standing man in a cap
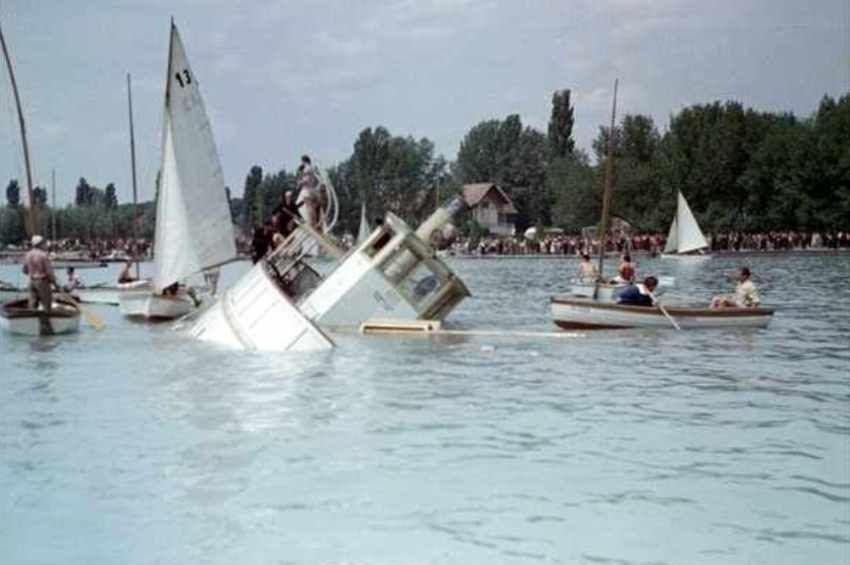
[(17, 317)]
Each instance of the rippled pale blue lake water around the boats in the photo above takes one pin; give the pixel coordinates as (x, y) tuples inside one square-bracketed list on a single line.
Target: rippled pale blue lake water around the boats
[(137, 445)]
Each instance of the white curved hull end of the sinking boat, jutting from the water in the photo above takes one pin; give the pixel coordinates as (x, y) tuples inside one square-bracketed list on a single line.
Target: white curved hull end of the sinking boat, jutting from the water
[(255, 314)]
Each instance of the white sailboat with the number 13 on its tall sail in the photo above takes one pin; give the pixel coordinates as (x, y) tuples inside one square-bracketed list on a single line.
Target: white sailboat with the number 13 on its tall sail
[(194, 231)]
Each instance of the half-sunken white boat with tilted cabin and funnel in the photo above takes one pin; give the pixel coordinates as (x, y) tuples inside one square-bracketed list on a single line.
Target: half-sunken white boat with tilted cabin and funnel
[(284, 304)]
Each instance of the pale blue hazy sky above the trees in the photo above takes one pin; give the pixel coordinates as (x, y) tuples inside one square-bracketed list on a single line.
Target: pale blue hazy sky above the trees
[(282, 78)]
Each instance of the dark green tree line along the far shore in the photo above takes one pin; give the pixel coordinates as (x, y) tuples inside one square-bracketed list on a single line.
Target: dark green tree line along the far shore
[(740, 169)]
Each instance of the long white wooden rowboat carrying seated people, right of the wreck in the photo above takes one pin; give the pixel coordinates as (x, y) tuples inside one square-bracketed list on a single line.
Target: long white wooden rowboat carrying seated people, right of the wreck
[(569, 312)]
